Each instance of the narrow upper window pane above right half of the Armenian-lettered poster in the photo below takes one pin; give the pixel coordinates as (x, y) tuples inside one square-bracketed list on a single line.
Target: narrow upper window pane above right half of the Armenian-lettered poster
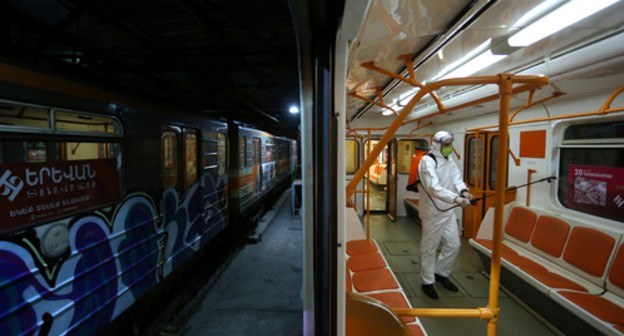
[(82, 122)]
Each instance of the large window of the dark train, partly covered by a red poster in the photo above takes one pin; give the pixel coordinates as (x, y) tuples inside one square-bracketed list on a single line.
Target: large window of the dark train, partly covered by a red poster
[(52, 178)]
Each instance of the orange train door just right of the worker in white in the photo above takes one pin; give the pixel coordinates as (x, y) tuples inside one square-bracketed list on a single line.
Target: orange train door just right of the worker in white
[(480, 177)]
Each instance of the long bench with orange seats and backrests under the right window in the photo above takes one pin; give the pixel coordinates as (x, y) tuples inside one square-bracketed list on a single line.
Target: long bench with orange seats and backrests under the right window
[(573, 265)]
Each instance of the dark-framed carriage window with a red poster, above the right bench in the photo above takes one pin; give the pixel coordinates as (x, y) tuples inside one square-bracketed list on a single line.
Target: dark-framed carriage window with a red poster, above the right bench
[(591, 169)]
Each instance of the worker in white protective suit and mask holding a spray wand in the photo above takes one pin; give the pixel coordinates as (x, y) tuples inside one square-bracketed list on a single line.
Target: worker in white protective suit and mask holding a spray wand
[(441, 188)]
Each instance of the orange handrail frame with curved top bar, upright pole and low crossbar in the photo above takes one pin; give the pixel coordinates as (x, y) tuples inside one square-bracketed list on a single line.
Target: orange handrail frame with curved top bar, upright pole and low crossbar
[(505, 83)]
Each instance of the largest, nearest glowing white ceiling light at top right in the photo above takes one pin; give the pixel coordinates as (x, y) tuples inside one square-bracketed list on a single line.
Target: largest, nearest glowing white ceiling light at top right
[(564, 16)]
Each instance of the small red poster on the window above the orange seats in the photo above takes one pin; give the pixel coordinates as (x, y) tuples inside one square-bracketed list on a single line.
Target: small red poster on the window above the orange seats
[(597, 190)]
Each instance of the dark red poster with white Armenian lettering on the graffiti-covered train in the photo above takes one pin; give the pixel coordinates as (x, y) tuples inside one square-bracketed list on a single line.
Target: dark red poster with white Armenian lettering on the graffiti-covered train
[(33, 192)]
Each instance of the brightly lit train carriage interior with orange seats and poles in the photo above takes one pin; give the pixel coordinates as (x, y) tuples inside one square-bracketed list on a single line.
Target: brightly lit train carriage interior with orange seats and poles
[(545, 102)]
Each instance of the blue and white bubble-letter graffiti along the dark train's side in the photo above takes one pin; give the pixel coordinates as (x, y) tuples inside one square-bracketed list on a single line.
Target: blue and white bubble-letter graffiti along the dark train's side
[(80, 273)]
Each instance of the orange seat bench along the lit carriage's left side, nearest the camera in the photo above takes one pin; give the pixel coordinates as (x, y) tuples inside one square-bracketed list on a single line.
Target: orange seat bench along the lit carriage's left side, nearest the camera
[(368, 273)]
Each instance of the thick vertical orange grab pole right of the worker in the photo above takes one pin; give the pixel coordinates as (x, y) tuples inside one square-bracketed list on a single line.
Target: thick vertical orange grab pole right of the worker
[(505, 82)]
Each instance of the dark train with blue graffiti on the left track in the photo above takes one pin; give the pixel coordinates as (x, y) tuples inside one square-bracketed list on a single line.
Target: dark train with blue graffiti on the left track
[(105, 198)]
